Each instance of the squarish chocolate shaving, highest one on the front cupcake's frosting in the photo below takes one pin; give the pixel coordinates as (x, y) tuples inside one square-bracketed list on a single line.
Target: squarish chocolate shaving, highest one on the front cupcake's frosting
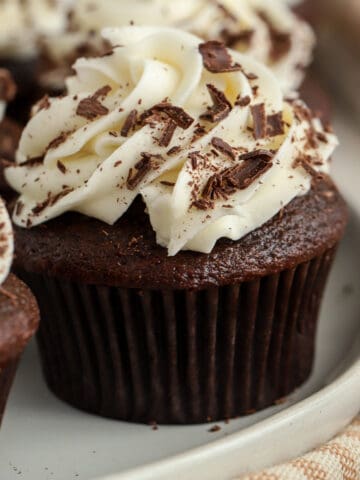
[(216, 57)]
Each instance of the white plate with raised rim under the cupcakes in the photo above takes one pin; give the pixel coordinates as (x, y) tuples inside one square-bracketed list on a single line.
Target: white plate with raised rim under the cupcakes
[(45, 439)]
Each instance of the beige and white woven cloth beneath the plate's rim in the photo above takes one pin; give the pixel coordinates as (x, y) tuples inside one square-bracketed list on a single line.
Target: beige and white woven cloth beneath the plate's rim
[(337, 460)]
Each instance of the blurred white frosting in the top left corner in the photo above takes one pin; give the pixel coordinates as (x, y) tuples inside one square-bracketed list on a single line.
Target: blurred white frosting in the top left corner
[(23, 21)]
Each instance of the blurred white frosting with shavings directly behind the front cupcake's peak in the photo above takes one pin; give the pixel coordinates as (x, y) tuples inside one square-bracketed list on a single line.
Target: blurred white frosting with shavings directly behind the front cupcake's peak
[(267, 29)]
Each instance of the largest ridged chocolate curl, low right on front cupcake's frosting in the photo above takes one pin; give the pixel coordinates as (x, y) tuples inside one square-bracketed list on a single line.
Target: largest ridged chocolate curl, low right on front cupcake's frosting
[(239, 177)]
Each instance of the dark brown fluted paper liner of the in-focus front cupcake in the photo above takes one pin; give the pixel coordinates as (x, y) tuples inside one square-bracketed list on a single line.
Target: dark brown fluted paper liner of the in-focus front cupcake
[(179, 356)]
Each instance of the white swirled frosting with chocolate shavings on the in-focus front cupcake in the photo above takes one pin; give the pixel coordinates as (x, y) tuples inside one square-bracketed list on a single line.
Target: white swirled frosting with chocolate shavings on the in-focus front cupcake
[(202, 133)]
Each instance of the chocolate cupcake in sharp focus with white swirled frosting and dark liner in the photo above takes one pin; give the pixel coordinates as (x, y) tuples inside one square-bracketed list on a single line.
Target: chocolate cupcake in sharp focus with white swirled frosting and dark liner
[(177, 222)]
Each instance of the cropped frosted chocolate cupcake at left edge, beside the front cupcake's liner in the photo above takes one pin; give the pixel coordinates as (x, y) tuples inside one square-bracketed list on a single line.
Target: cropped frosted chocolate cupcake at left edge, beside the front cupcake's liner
[(19, 315)]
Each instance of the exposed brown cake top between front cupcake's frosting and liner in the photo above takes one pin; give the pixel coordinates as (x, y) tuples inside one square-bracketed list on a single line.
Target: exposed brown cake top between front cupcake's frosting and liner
[(79, 249)]
